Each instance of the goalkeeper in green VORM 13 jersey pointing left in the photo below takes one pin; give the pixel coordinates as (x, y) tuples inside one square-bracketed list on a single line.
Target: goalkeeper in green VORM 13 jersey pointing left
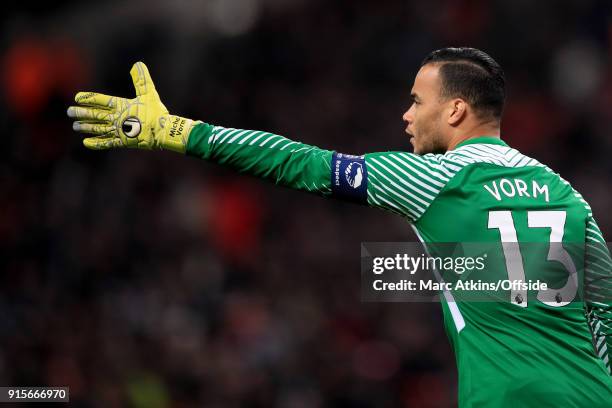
[(547, 351)]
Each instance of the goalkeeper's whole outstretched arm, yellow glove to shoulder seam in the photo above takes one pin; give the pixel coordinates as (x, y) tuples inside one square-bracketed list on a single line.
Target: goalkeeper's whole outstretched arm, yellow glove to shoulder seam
[(400, 182)]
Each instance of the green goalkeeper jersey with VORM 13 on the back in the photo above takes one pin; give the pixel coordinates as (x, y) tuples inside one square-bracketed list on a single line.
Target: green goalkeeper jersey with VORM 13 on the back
[(548, 349)]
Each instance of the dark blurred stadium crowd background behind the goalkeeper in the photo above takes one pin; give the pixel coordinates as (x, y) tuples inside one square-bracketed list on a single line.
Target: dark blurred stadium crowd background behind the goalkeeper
[(153, 280)]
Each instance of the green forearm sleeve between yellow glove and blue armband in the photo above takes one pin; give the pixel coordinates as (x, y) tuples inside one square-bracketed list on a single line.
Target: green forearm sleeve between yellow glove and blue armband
[(285, 162)]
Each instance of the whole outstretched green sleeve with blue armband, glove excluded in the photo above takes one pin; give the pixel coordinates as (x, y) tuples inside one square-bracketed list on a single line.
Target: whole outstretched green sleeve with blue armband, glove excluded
[(400, 182)]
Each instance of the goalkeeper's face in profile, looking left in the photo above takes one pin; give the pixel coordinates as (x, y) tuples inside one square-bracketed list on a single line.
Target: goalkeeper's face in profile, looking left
[(424, 120)]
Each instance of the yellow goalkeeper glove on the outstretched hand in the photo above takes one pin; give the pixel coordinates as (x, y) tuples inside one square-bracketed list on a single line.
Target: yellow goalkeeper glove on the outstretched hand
[(142, 122)]
